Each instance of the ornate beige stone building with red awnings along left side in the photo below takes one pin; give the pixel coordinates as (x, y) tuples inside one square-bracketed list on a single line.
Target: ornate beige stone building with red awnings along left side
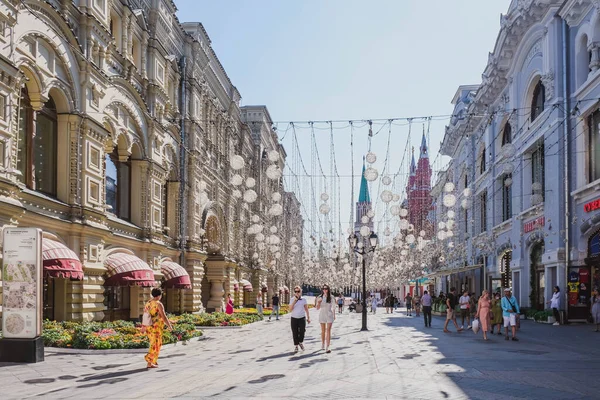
[(116, 139)]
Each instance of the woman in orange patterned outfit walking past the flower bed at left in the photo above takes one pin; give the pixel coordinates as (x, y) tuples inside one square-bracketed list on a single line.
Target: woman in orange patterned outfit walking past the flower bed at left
[(155, 317)]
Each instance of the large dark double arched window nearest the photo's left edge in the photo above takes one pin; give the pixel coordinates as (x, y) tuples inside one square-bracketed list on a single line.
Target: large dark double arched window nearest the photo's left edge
[(37, 153)]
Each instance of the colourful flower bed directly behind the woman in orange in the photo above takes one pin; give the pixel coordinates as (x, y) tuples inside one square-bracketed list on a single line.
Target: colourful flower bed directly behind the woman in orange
[(109, 335)]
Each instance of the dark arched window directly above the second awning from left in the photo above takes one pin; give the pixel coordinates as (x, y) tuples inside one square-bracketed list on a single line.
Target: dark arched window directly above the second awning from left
[(118, 177)]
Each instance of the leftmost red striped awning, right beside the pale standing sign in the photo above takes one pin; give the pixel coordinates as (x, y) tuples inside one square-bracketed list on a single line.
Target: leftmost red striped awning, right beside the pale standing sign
[(60, 261)]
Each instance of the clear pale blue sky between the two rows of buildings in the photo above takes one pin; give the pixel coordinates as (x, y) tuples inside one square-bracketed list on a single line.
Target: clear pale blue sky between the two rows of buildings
[(350, 60)]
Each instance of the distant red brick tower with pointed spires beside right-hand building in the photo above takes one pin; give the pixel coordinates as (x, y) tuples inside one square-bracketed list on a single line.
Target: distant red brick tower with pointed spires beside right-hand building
[(418, 192)]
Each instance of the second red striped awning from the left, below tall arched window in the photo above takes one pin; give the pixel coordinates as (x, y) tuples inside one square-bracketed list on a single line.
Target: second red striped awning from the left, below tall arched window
[(124, 269)]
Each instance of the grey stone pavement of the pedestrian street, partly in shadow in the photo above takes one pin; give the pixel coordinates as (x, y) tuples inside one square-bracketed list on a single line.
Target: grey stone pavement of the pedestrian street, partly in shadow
[(397, 358)]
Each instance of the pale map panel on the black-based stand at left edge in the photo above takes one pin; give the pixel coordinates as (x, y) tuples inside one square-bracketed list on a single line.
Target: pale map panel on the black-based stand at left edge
[(22, 283)]
